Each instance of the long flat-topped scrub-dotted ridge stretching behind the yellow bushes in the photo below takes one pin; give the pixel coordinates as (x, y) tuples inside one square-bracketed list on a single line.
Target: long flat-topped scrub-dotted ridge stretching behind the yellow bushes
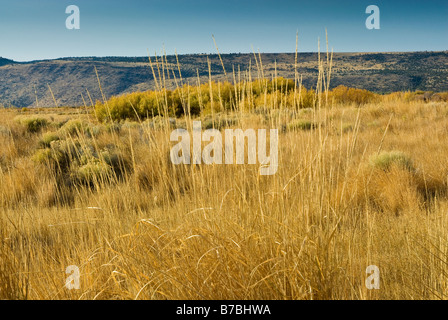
[(26, 84)]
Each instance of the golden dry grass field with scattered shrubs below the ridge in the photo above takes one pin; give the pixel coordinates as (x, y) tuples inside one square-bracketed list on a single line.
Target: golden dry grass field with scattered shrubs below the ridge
[(358, 184)]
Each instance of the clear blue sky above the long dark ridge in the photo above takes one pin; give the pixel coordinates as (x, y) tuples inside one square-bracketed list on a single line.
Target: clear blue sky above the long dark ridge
[(31, 29)]
